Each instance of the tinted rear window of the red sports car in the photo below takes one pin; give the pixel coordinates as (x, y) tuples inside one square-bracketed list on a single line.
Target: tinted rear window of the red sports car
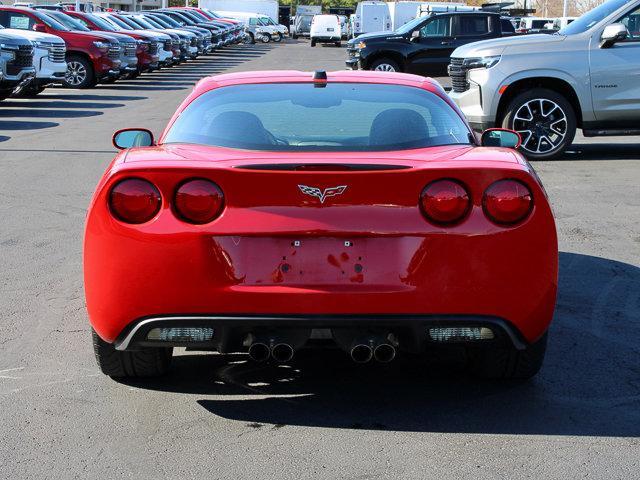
[(300, 117)]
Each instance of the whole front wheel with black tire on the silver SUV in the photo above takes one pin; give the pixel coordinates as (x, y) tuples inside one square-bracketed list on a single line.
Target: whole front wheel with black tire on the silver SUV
[(542, 126)]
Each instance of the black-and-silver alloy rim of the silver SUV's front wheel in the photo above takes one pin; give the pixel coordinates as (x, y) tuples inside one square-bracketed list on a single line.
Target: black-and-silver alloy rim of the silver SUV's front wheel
[(542, 124)]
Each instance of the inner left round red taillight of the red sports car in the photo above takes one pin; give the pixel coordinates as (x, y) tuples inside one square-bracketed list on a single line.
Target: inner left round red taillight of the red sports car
[(198, 201)]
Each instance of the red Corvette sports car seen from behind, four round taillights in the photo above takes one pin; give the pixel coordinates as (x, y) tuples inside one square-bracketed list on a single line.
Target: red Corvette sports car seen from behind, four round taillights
[(357, 208)]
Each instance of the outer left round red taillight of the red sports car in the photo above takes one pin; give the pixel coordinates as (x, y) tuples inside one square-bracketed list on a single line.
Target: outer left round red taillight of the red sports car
[(134, 200)]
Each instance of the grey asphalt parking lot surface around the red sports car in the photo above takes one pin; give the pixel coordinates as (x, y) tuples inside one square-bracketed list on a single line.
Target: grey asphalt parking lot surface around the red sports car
[(223, 417)]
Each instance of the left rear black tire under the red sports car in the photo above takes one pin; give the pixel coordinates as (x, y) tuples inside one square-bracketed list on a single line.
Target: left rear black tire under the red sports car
[(146, 362)]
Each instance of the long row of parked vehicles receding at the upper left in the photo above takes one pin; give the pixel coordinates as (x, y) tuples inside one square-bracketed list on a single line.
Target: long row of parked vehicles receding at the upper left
[(47, 45)]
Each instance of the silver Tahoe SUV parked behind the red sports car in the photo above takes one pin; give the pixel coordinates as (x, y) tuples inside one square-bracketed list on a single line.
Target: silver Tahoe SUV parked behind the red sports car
[(546, 86)]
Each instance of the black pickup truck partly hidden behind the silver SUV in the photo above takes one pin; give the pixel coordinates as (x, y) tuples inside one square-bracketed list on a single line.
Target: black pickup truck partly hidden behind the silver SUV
[(423, 46)]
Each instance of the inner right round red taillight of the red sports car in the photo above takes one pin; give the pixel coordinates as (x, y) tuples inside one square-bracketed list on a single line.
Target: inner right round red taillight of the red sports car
[(445, 201)]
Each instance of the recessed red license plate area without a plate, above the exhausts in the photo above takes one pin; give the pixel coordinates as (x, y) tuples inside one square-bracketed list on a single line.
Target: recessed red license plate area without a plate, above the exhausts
[(320, 260)]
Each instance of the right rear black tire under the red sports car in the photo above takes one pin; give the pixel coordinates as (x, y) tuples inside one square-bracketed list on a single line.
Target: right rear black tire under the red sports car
[(506, 362)]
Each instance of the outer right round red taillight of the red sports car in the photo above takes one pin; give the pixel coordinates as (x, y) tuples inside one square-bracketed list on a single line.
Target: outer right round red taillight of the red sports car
[(507, 202)]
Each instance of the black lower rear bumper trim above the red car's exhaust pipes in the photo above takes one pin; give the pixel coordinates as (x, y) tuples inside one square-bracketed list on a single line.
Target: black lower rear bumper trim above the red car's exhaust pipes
[(412, 331)]
